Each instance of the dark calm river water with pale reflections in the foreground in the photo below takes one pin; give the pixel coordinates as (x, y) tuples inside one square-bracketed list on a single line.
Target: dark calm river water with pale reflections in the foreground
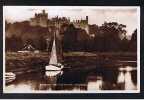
[(80, 80)]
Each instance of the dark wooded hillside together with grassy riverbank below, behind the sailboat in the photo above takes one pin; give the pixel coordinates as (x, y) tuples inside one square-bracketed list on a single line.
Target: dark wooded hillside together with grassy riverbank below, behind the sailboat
[(107, 45)]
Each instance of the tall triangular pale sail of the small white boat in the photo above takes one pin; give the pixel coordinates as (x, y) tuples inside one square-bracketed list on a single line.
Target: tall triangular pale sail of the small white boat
[(53, 58)]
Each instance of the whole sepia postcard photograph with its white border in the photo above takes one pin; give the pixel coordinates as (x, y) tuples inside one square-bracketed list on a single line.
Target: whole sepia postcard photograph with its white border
[(71, 49)]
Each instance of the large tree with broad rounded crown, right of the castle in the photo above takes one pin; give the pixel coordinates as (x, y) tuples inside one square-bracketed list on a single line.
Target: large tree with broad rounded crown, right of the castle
[(108, 38)]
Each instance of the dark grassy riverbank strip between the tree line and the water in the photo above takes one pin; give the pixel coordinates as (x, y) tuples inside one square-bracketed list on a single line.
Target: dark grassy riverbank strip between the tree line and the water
[(21, 63)]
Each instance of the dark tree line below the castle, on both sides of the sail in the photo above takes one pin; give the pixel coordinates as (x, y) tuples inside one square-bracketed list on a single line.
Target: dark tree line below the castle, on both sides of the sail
[(109, 37)]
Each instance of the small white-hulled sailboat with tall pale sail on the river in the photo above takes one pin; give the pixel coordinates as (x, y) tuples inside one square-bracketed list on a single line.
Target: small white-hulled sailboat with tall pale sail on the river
[(54, 65)]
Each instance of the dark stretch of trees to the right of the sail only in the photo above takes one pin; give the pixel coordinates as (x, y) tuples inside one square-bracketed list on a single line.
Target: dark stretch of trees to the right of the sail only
[(110, 37)]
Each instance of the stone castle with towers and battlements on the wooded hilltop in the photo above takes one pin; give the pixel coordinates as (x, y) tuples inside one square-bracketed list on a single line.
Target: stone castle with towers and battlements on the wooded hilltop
[(41, 19)]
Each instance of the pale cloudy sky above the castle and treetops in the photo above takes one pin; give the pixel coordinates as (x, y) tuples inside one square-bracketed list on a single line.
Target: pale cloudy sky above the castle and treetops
[(128, 16)]
